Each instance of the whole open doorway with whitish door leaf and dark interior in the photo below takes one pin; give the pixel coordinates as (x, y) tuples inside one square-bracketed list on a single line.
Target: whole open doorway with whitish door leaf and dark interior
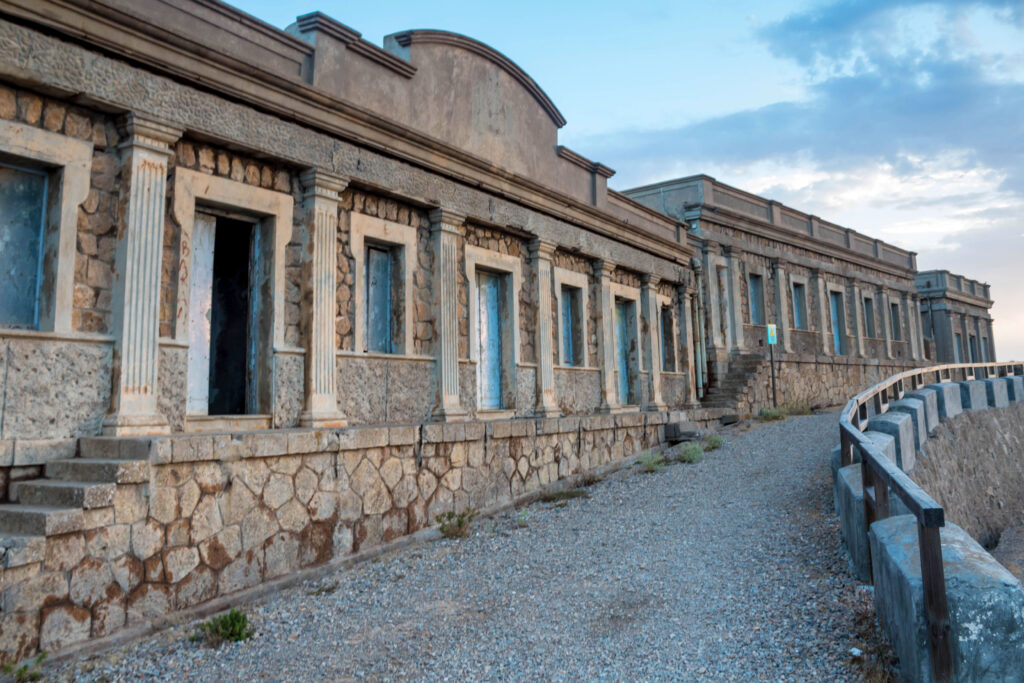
[(225, 320)]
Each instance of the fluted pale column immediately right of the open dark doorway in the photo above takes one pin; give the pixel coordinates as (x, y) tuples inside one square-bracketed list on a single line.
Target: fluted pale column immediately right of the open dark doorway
[(320, 268)]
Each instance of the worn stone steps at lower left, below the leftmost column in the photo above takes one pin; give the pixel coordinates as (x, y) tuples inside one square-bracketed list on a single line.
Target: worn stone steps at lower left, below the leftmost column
[(75, 495)]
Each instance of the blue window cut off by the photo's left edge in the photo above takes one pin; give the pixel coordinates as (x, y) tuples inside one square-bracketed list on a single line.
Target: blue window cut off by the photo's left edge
[(23, 202)]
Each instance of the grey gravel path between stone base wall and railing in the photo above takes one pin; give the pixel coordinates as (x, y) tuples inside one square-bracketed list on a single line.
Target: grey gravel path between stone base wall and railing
[(729, 570)]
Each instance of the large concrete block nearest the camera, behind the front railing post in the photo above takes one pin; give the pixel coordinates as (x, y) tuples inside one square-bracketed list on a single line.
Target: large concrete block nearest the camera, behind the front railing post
[(987, 604)]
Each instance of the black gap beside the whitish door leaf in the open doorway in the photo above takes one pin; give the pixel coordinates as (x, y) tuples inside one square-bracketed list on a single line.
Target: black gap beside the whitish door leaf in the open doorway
[(230, 328)]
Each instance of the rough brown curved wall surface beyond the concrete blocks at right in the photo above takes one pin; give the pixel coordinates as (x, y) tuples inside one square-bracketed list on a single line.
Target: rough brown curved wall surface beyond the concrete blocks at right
[(973, 466)]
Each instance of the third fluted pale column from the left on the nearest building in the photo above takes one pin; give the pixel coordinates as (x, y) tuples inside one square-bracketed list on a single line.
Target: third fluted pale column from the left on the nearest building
[(445, 231)]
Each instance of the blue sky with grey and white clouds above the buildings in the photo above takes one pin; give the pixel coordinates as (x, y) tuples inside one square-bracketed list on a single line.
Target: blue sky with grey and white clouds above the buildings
[(904, 120)]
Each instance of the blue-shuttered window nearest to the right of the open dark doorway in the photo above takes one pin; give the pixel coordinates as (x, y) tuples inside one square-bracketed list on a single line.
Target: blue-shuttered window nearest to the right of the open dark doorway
[(383, 314)]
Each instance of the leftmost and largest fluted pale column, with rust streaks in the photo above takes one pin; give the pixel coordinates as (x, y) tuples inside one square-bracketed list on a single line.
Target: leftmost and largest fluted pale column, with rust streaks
[(136, 294)]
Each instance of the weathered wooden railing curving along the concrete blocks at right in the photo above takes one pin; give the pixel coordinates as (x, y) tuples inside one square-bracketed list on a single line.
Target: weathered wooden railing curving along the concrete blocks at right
[(881, 477)]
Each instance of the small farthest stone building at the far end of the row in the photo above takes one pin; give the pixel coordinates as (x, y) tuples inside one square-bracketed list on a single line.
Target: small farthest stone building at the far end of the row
[(955, 317)]
